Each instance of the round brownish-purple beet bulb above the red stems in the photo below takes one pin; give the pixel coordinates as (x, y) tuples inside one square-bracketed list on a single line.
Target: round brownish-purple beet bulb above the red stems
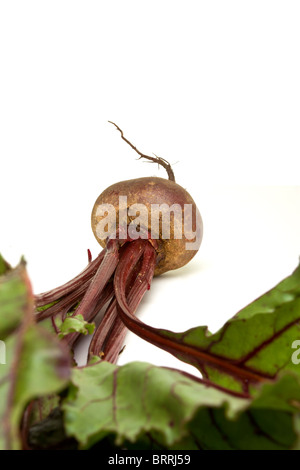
[(152, 192)]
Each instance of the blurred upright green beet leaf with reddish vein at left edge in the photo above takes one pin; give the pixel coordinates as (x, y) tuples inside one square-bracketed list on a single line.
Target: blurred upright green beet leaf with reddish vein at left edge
[(36, 363)]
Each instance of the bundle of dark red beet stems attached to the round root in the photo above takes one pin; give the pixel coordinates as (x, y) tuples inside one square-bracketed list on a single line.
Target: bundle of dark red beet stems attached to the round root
[(117, 280)]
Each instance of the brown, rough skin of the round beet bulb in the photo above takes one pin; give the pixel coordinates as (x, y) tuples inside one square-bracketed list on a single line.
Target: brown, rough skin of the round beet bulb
[(153, 190)]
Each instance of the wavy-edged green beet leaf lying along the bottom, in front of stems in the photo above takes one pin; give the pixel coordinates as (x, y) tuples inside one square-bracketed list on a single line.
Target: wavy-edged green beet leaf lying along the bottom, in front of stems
[(144, 406)]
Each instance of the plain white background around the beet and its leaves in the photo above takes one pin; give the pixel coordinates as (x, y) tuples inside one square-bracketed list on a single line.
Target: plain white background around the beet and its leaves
[(212, 86)]
